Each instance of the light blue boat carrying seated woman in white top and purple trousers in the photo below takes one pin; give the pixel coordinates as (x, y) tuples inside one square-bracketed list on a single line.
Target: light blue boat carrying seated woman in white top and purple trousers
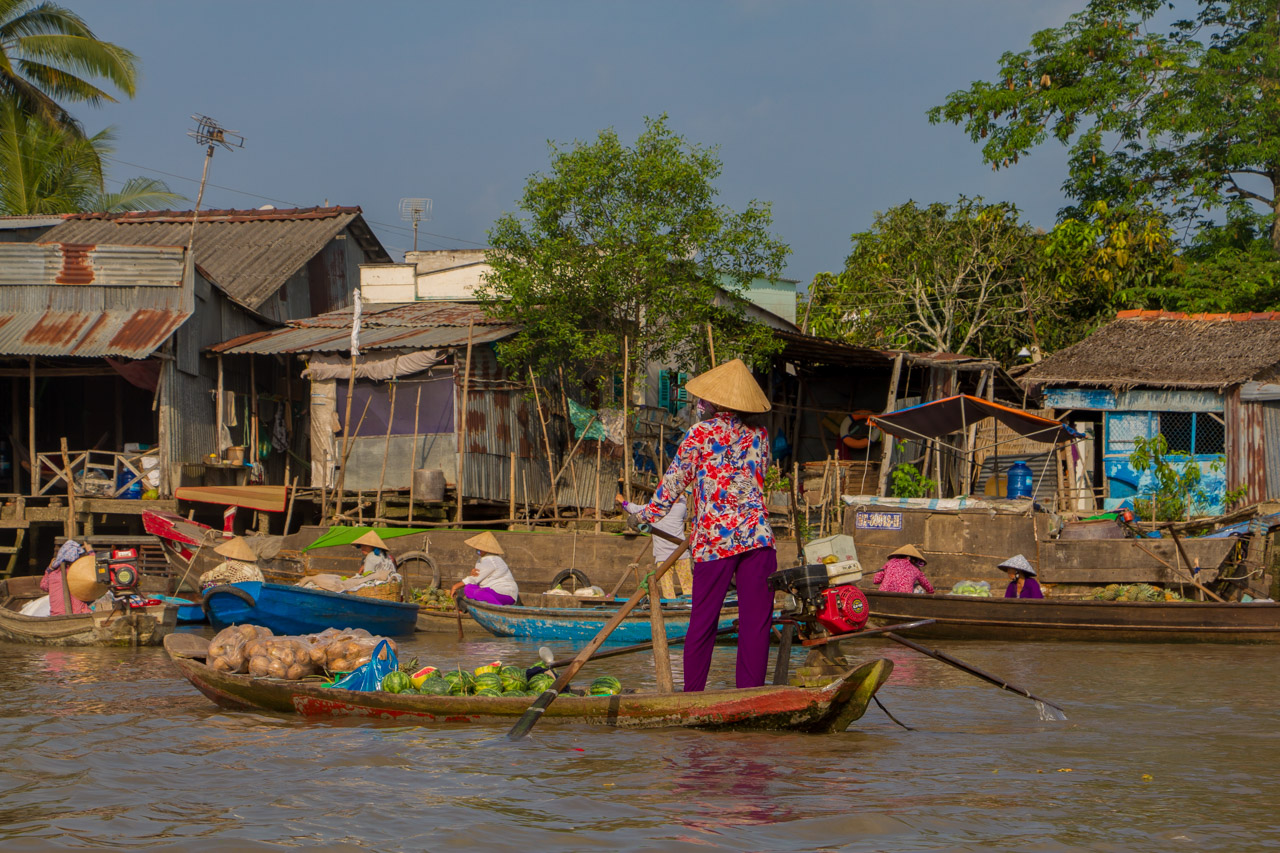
[(582, 623)]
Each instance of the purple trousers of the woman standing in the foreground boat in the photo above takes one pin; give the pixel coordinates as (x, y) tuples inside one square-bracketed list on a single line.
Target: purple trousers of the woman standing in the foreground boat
[(749, 572)]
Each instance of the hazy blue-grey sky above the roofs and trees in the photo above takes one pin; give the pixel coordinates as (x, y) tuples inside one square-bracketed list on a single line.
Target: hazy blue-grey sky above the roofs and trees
[(819, 108)]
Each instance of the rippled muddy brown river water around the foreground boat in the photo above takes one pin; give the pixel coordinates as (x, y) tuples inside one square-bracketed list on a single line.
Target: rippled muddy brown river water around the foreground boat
[(1165, 749)]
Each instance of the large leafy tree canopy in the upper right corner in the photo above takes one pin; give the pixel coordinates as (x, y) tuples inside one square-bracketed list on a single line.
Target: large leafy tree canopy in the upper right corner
[(1186, 117)]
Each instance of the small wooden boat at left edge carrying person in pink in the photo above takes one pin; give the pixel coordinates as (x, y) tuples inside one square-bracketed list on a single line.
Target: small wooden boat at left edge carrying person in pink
[(134, 627)]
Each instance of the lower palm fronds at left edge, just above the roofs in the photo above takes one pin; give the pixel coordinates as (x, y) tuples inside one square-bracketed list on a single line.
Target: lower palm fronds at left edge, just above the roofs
[(51, 170)]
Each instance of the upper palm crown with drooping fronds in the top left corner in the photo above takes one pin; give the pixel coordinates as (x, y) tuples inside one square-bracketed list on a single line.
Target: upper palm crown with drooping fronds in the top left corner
[(49, 53)]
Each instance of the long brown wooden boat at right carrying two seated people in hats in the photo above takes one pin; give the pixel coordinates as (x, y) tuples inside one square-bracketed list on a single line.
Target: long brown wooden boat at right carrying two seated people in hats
[(1049, 619)]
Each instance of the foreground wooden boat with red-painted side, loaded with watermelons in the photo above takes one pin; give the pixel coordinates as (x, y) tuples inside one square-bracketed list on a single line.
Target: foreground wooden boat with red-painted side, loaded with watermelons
[(829, 709)]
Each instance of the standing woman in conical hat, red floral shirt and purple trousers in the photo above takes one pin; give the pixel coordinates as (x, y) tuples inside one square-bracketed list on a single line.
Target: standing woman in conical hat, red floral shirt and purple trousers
[(725, 460)]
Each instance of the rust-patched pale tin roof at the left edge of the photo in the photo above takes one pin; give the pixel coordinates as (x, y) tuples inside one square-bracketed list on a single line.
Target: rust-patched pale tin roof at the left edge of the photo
[(84, 300)]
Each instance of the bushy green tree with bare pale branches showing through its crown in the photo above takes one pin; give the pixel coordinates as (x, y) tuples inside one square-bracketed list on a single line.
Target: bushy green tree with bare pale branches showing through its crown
[(953, 279)]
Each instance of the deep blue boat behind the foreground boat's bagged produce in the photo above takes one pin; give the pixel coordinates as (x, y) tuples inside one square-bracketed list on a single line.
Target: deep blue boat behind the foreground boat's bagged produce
[(294, 610)]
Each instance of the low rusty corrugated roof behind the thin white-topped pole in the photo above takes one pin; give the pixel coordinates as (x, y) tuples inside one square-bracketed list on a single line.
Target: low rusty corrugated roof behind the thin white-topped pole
[(418, 326)]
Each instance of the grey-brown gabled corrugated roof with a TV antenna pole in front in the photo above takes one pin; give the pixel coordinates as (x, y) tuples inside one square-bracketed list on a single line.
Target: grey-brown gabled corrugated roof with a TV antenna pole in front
[(249, 254)]
